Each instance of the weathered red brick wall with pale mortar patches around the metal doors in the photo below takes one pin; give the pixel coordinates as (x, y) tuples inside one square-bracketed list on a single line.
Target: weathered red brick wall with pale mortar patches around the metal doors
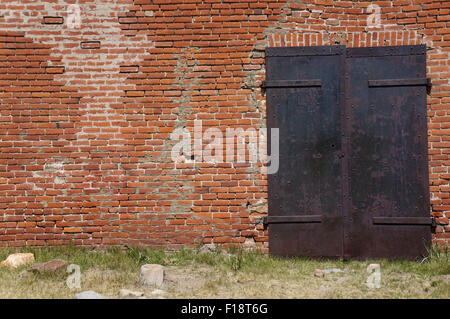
[(86, 111)]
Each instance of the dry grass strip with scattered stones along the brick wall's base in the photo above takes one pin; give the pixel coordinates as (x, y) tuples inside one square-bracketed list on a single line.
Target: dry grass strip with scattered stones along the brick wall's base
[(227, 274)]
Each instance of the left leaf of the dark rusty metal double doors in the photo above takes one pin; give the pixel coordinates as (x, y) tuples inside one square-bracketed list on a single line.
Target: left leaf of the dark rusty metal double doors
[(305, 195)]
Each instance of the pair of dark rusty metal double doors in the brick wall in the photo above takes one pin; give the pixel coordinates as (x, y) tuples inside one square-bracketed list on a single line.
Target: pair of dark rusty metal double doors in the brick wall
[(353, 171)]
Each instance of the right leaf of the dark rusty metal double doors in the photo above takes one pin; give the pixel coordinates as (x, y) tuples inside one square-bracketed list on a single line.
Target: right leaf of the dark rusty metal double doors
[(386, 104)]
